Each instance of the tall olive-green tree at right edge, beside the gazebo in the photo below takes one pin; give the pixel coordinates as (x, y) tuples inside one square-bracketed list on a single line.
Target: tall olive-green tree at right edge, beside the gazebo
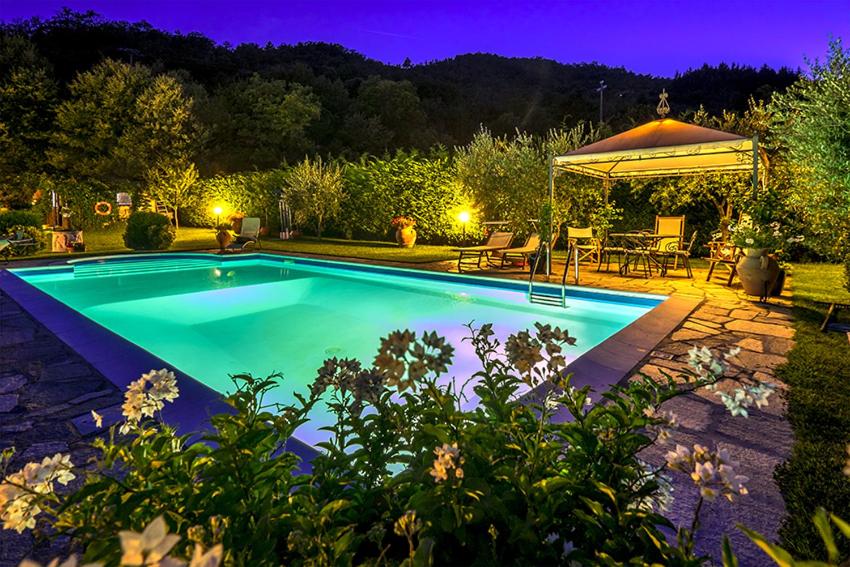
[(812, 121)]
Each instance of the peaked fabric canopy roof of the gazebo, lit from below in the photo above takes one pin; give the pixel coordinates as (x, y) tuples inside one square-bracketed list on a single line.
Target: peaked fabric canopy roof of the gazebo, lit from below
[(660, 148)]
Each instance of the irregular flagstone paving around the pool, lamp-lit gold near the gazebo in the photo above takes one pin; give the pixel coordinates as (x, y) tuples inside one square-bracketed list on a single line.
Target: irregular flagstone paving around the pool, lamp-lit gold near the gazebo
[(47, 390)]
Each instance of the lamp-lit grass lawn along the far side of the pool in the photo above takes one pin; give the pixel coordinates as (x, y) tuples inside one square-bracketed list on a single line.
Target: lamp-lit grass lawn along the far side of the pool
[(190, 238)]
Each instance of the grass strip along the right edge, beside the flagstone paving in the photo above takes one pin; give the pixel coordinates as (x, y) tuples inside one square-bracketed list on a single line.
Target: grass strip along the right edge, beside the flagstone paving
[(818, 375)]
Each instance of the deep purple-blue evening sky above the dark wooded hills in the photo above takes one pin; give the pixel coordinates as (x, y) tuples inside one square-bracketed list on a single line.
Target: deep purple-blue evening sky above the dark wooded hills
[(658, 37)]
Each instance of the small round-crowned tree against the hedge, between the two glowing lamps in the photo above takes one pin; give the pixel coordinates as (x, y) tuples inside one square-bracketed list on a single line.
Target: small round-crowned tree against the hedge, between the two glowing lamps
[(317, 191)]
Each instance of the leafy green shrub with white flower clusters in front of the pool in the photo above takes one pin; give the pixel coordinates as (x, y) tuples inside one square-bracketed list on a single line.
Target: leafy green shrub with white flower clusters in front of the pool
[(408, 477)]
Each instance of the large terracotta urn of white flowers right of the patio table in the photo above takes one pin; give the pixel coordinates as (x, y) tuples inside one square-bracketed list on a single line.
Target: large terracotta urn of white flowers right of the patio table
[(758, 269)]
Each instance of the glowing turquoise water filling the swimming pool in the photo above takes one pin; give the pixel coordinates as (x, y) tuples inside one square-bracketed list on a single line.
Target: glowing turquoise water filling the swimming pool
[(262, 314)]
